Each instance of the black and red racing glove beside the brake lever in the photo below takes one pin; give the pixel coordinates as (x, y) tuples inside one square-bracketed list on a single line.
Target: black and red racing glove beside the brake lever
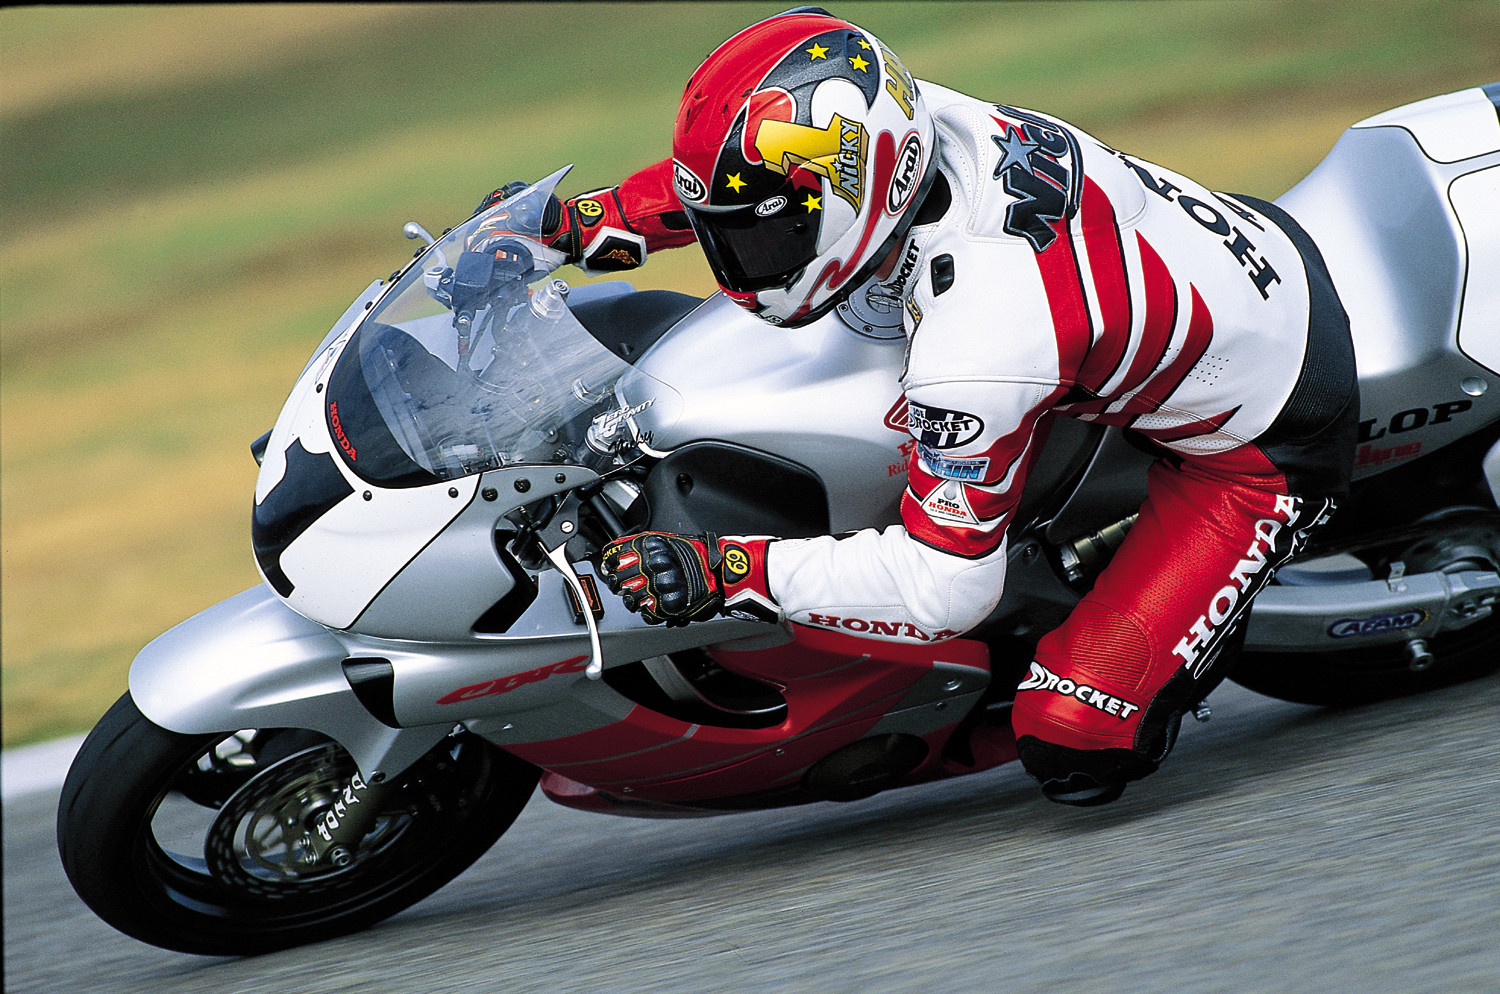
[(677, 579)]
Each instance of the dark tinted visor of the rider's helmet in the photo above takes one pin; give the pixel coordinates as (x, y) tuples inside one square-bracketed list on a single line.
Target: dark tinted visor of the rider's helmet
[(751, 253)]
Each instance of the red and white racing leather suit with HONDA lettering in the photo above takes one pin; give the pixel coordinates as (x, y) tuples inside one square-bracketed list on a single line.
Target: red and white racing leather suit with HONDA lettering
[(1046, 275)]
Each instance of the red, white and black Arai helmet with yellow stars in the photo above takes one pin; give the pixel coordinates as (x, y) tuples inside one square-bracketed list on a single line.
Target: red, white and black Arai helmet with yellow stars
[(800, 154)]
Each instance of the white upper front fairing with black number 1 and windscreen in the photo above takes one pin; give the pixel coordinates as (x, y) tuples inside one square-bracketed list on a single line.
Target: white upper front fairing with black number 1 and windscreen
[(469, 365)]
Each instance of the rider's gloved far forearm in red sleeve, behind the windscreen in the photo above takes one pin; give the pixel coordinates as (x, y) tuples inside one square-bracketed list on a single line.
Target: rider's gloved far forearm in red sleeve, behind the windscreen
[(614, 229)]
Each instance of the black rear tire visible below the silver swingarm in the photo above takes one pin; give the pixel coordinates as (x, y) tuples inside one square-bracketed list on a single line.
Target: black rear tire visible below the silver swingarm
[(1361, 677)]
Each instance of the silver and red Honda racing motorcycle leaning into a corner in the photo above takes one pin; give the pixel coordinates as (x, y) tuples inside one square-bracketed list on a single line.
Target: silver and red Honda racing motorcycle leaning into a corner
[(431, 641)]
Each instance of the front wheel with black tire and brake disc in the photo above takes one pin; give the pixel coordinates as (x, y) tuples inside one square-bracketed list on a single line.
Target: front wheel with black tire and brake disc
[(227, 899)]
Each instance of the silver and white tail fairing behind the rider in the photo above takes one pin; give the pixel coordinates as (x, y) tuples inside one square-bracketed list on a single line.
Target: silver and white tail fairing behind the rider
[(1406, 212)]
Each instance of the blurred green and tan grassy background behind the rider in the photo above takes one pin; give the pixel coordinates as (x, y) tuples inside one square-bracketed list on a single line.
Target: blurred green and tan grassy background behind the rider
[(190, 196)]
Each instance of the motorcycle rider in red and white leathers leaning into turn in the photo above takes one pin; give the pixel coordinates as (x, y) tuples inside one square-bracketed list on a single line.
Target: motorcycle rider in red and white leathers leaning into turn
[(1039, 272)]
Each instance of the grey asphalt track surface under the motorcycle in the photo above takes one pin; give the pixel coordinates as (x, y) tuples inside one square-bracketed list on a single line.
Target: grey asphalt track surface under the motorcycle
[(1283, 849)]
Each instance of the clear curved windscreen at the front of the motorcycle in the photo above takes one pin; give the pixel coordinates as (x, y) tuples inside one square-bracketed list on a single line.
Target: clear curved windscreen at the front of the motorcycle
[(475, 361)]
